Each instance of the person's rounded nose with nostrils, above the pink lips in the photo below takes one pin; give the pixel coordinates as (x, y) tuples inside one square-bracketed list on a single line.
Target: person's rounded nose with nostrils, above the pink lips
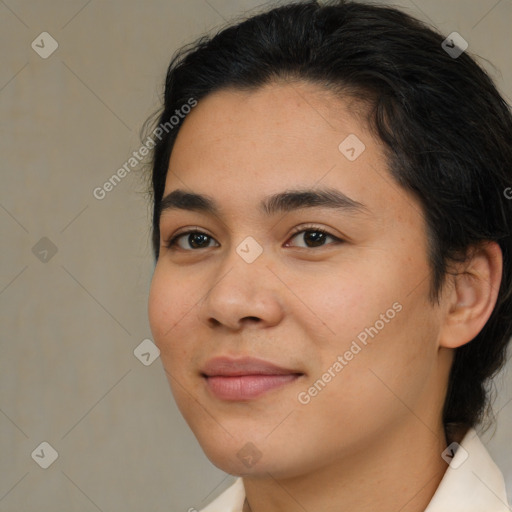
[(243, 294)]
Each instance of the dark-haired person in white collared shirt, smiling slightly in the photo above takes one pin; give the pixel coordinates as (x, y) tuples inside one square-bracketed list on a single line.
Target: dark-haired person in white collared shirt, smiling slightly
[(332, 237)]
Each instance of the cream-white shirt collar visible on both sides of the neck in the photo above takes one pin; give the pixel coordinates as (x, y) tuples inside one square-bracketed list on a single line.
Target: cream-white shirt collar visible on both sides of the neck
[(472, 483)]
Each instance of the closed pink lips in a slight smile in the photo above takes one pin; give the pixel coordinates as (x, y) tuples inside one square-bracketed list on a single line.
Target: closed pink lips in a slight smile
[(245, 378)]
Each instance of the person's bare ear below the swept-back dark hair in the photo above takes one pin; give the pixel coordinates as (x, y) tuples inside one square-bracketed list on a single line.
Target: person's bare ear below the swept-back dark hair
[(472, 295)]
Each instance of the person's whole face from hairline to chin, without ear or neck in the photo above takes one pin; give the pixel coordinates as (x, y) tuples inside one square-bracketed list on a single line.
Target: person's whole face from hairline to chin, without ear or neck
[(294, 329)]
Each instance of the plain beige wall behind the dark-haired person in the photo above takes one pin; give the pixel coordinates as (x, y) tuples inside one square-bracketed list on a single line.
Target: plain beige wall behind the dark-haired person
[(70, 325)]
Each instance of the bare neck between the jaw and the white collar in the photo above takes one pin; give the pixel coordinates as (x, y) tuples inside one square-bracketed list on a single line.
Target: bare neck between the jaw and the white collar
[(401, 470)]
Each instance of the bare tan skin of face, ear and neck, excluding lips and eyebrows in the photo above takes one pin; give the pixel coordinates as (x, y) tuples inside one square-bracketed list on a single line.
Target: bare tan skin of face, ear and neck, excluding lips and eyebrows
[(374, 432)]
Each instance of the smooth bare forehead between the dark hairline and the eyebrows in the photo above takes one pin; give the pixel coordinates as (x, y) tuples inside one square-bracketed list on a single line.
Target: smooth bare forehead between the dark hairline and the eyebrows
[(242, 146)]
